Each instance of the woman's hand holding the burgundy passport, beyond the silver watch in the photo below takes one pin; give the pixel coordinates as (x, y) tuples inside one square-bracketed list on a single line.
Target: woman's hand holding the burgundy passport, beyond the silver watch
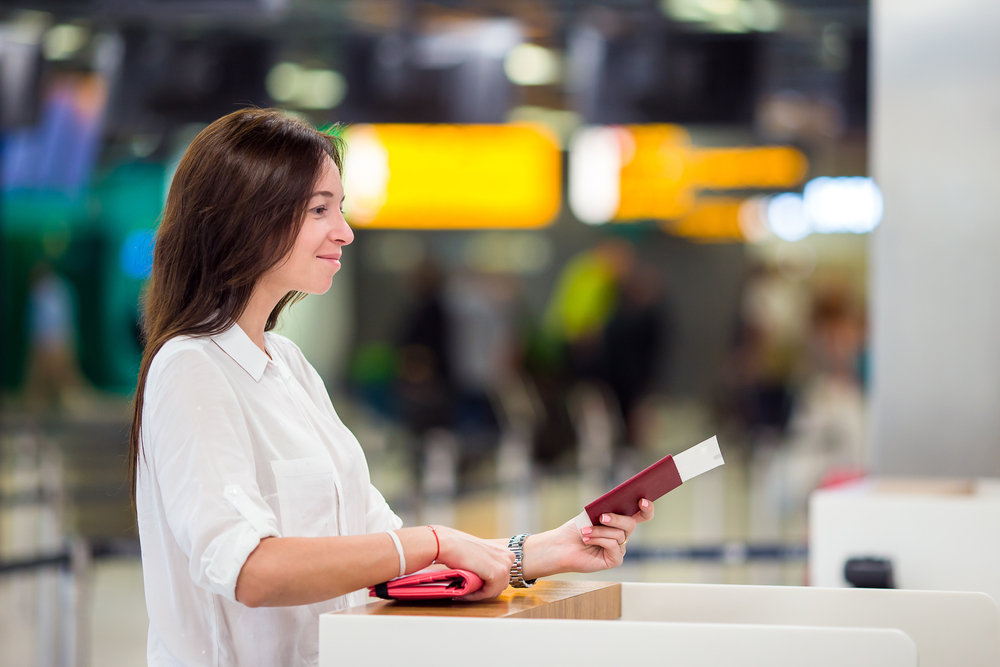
[(600, 547)]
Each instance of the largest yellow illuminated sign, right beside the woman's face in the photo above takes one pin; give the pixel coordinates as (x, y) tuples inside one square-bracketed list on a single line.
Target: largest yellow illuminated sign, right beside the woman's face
[(451, 176)]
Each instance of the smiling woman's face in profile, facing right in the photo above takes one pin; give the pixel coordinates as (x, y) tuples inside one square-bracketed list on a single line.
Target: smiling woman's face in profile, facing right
[(315, 256)]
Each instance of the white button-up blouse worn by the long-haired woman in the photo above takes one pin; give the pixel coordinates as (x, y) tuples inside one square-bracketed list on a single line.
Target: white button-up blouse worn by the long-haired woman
[(238, 447)]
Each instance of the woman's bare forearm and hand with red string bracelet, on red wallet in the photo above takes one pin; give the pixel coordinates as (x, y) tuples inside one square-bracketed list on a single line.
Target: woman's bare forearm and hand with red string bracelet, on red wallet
[(285, 571)]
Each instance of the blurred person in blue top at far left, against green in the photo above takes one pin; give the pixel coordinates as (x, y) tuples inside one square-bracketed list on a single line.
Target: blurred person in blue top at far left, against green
[(53, 375)]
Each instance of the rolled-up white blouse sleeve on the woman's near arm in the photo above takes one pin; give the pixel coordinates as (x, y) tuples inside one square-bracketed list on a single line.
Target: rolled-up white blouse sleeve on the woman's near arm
[(203, 463)]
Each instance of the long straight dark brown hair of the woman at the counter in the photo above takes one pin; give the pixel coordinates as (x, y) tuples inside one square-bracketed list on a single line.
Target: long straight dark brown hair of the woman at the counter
[(234, 208)]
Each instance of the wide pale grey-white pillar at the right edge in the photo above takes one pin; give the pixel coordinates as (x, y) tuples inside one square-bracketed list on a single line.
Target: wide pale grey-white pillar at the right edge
[(936, 256)]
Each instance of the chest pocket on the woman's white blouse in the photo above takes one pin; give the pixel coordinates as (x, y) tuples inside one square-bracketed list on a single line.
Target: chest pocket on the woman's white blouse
[(307, 496)]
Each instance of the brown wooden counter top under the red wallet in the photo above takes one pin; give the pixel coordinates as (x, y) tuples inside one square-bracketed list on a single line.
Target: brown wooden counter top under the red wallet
[(593, 600)]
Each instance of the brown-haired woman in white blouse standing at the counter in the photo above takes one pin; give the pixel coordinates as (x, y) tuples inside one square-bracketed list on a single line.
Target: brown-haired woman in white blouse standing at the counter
[(254, 504)]
